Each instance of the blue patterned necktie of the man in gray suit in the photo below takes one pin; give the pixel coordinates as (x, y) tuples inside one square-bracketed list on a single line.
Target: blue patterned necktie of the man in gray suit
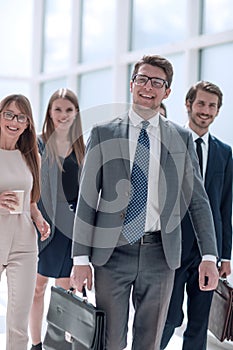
[(134, 223)]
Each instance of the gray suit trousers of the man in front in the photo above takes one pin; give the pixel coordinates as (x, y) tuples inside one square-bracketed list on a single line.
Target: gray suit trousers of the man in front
[(141, 270)]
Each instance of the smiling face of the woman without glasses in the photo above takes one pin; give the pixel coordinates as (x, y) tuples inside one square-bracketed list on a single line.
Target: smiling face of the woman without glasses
[(63, 113)]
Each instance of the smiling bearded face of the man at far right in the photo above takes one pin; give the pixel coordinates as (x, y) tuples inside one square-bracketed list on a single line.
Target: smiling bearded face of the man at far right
[(202, 112)]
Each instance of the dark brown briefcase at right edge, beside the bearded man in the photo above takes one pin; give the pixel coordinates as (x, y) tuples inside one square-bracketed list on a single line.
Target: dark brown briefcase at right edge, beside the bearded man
[(221, 312)]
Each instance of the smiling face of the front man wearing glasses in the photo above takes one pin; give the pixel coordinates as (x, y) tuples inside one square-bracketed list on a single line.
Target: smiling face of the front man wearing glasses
[(147, 99)]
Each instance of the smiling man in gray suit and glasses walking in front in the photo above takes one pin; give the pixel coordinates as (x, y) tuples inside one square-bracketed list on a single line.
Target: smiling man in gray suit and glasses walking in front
[(137, 247)]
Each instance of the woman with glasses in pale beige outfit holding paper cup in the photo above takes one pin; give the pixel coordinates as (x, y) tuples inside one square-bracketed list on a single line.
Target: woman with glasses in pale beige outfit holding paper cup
[(19, 160)]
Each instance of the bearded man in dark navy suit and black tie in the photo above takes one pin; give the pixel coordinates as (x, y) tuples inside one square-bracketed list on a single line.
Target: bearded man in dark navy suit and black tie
[(203, 102)]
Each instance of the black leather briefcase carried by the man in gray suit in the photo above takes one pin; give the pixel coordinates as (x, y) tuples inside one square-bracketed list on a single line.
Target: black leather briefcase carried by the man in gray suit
[(73, 323)]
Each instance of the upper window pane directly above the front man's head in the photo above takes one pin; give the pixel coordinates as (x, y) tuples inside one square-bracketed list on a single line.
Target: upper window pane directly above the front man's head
[(157, 22)]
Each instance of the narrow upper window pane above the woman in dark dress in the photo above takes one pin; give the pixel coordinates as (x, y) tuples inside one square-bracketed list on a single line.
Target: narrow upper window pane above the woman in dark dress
[(57, 31)]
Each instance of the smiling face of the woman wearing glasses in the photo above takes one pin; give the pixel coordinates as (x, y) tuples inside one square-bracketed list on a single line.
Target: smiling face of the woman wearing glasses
[(11, 129)]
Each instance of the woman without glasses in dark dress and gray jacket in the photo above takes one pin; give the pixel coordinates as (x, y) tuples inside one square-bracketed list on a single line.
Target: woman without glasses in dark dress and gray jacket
[(62, 148)]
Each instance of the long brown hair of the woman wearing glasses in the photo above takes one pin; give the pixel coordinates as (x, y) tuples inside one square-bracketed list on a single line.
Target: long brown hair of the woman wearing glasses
[(27, 142)]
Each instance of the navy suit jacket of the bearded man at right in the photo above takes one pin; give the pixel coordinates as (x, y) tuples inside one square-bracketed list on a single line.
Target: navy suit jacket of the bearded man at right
[(218, 185)]
